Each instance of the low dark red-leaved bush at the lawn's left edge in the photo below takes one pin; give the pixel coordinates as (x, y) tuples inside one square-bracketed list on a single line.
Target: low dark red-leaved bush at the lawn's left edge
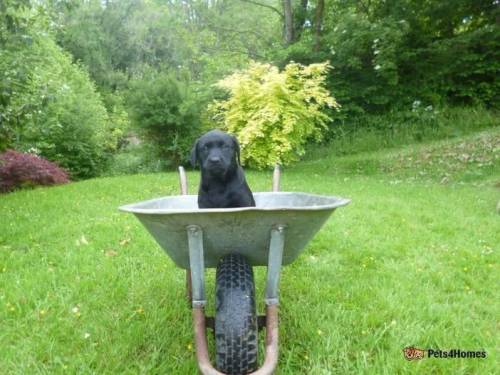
[(19, 170)]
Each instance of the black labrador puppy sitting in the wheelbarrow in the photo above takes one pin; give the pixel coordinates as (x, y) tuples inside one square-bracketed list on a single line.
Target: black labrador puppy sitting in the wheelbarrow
[(223, 183)]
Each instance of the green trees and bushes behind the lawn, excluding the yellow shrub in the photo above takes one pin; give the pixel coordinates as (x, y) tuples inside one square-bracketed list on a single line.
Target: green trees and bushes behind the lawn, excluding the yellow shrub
[(82, 80)]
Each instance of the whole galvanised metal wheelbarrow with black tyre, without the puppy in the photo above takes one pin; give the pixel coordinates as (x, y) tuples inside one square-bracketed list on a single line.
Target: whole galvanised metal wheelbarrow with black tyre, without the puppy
[(233, 240)]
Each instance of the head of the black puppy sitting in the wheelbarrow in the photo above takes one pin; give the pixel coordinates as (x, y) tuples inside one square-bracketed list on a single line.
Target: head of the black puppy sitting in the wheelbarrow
[(216, 152)]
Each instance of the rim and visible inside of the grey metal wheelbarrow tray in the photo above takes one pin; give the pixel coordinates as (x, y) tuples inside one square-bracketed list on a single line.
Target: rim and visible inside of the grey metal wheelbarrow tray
[(321, 202)]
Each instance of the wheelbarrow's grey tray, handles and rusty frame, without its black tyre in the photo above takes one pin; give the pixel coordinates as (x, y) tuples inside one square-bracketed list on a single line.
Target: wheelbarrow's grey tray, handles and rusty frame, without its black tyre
[(271, 234)]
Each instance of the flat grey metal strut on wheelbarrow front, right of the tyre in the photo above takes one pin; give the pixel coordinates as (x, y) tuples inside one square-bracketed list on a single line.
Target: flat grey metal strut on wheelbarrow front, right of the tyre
[(275, 259)]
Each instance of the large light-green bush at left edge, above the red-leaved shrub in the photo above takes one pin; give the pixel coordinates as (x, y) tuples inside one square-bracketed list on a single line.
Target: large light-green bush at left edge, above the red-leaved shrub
[(49, 104)]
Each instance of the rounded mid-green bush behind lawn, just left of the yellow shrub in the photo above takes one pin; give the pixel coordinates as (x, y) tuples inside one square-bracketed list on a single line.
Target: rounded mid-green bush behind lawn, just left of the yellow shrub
[(167, 112)]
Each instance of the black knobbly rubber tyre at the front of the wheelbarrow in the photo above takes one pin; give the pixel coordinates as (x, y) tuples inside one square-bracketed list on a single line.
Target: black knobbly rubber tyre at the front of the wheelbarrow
[(235, 316)]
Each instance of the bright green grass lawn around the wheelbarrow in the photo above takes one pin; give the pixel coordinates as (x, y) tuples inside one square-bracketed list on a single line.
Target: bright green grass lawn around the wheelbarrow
[(413, 260)]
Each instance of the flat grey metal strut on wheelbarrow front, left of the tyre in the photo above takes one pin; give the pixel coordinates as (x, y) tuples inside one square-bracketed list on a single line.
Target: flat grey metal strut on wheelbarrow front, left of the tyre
[(196, 264)]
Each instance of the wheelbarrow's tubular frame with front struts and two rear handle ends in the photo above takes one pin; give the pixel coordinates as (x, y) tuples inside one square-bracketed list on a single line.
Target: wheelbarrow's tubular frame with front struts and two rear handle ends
[(196, 289)]
